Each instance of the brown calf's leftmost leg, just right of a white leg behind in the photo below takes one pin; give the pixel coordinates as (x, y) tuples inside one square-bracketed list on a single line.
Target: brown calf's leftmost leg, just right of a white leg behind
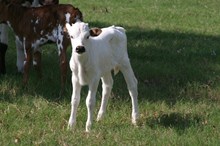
[(27, 62)]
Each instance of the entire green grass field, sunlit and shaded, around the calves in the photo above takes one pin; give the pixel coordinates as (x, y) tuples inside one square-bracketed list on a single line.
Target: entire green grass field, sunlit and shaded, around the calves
[(174, 48)]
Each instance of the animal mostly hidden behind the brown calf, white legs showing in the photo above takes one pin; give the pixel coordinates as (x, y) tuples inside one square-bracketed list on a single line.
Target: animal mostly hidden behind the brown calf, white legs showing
[(4, 34)]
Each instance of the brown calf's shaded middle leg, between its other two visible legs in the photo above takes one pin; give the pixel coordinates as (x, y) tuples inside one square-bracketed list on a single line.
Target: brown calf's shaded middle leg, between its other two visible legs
[(37, 62)]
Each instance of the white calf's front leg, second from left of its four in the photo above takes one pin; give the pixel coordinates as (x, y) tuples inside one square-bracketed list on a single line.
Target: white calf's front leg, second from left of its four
[(90, 102)]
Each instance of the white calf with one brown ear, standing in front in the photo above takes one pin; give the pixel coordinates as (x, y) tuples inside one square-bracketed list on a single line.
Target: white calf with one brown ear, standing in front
[(94, 58)]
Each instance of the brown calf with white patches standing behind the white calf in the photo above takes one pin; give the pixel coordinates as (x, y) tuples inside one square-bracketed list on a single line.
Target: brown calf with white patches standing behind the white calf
[(36, 26)]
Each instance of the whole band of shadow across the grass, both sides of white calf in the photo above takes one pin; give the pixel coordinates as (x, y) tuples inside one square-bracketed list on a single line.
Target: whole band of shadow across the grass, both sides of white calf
[(169, 66)]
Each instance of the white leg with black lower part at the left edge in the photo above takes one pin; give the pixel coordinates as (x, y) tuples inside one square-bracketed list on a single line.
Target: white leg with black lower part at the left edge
[(3, 47)]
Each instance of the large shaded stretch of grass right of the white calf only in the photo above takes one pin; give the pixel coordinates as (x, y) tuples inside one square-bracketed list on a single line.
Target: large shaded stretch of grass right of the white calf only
[(172, 66)]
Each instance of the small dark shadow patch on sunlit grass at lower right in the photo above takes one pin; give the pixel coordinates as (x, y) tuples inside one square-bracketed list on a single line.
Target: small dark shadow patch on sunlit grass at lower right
[(177, 121)]
